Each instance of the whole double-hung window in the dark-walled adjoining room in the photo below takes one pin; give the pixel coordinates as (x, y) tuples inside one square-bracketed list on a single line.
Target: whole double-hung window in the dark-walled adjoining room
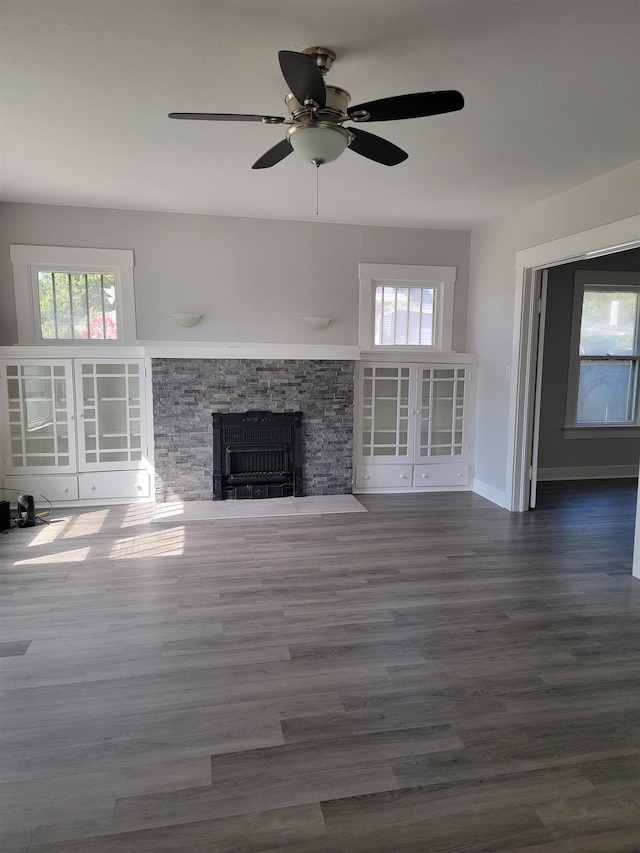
[(603, 379)]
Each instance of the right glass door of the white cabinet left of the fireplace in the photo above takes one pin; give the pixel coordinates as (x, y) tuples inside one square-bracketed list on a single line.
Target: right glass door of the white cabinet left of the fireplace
[(110, 404)]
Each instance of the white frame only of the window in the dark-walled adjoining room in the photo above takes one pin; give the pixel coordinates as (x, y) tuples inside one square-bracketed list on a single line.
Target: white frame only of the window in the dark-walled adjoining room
[(601, 279)]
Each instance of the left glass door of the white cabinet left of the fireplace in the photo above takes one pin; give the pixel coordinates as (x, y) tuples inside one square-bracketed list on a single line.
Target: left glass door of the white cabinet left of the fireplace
[(40, 411)]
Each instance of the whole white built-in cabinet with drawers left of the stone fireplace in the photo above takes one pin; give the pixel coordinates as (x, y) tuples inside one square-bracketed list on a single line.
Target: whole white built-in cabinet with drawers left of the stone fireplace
[(75, 429)]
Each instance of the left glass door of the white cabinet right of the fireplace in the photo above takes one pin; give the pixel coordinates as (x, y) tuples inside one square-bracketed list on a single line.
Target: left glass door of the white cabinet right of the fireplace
[(386, 425)]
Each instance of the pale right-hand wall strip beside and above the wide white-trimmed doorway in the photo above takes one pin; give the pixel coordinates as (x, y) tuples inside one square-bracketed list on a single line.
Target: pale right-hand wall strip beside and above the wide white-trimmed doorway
[(606, 199)]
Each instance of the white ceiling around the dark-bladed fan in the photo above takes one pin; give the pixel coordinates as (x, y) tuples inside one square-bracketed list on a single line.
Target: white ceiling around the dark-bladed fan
[(552, 90)]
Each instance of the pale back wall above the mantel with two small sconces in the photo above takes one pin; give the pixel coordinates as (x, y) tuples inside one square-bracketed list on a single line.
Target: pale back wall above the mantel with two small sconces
[(252, 279)]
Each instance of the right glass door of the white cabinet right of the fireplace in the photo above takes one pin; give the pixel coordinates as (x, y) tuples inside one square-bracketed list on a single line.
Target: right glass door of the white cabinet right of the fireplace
[(442, 397)]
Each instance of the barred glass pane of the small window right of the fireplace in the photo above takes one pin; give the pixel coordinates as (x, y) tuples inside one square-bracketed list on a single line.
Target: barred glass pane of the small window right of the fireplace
[(403, 316)]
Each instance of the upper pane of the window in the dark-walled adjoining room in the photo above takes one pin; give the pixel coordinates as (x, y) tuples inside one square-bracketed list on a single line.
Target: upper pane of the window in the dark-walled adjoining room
[(608, 322)]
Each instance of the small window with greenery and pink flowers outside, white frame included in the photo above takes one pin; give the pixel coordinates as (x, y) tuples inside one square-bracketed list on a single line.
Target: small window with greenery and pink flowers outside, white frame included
[(71, 296)]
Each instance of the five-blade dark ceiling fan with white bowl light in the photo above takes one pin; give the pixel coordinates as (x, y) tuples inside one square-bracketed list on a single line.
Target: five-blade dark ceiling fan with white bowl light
[(317, 113)]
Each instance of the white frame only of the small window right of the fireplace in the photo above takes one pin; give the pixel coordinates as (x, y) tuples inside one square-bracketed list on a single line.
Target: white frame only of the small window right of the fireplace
[(440, 279)]
